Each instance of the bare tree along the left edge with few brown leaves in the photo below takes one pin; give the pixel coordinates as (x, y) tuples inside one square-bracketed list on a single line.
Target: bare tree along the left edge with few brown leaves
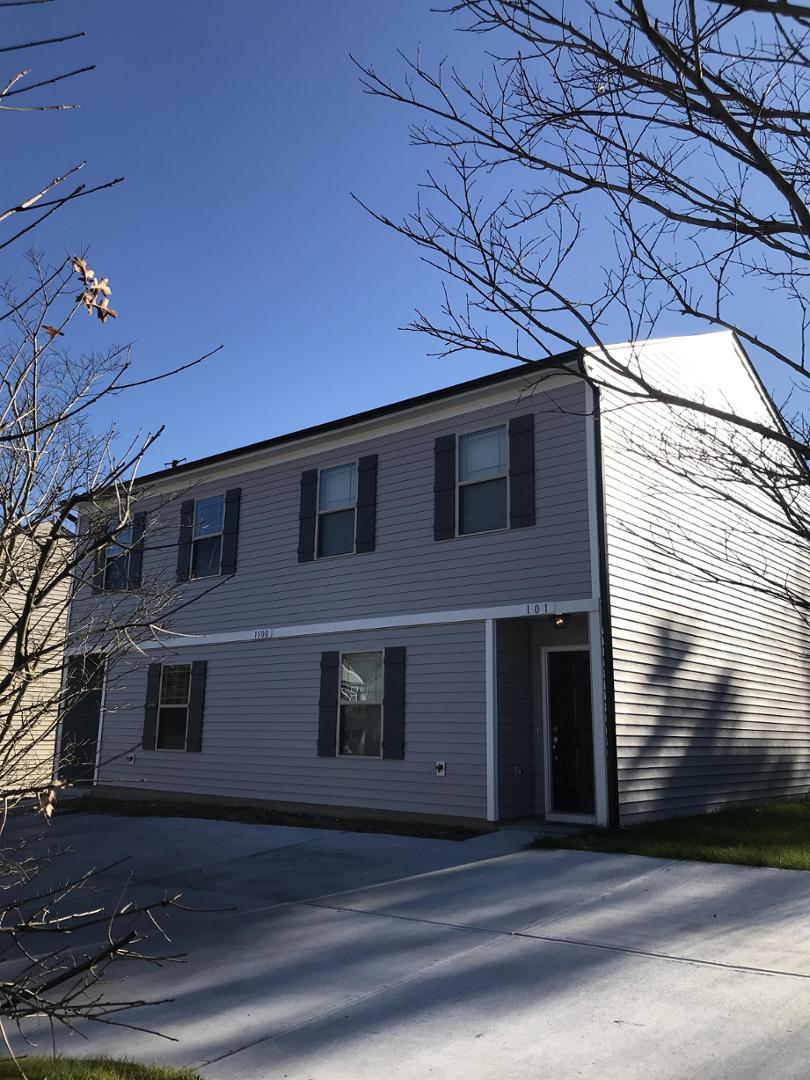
[(56, 455)]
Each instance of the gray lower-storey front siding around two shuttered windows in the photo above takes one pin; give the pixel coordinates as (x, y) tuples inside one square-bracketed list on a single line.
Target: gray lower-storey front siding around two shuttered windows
[(260, 737)]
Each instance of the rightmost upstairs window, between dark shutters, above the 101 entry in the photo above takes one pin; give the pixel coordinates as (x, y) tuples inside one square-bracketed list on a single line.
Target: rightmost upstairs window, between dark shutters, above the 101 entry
[(483, 477)]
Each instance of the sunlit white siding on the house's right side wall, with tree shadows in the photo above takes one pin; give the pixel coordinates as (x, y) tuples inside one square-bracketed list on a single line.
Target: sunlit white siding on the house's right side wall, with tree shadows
[(712, 674)]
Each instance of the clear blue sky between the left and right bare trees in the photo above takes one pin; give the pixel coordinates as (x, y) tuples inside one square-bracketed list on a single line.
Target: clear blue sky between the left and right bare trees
[(241, 132)]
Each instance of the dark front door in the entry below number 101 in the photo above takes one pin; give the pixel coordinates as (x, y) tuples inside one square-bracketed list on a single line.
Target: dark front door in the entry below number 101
[(571, 733)]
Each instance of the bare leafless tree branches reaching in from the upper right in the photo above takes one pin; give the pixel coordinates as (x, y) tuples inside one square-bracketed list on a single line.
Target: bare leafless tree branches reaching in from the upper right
[(623, 169)]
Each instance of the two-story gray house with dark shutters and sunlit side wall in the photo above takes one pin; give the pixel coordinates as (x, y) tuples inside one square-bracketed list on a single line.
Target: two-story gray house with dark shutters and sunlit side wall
[(484, 603)]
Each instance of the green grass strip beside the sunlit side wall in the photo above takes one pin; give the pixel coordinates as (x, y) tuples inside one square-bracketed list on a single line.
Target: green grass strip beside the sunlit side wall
[(769, 834)]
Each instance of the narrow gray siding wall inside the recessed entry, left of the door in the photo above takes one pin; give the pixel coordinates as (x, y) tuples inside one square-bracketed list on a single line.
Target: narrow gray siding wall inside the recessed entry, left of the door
[(516, 720)]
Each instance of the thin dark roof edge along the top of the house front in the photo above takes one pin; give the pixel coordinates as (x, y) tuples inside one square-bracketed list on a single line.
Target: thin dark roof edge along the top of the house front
[(564, 359)]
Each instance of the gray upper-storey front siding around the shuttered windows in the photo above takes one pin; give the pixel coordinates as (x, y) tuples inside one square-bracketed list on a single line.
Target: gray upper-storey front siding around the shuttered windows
[(409, 572)]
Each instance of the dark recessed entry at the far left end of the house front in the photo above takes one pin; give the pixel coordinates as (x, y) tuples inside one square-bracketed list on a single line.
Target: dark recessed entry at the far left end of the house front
[(85, 684)]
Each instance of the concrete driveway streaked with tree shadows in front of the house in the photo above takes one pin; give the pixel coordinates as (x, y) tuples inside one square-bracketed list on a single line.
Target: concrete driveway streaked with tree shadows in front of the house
[(342, 956)]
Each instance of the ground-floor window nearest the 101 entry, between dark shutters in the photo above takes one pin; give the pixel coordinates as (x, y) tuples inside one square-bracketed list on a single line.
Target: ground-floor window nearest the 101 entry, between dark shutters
[(360, 705)]
